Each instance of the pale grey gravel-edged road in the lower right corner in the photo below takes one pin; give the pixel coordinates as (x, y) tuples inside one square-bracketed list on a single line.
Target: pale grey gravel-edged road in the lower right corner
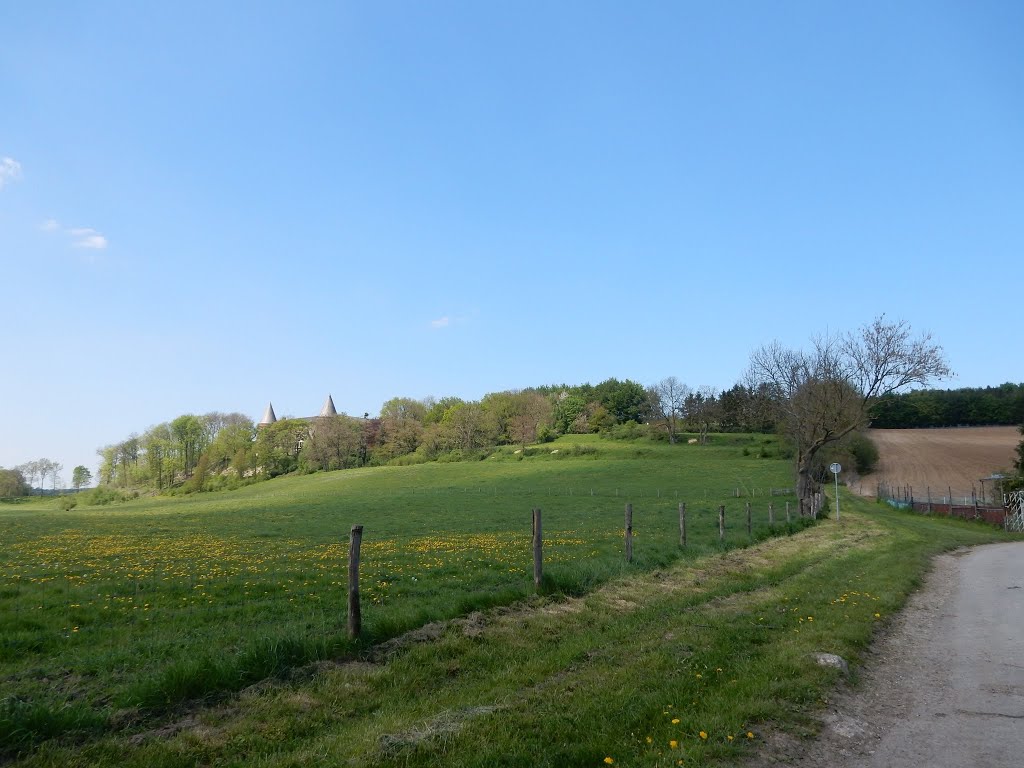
[(945, 688)]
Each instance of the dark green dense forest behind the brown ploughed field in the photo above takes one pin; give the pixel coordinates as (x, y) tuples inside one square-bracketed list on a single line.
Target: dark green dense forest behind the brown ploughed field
[(952, 408)]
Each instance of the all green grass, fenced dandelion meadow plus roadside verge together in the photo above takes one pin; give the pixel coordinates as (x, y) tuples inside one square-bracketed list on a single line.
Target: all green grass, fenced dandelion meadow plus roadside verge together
[(211, 629)]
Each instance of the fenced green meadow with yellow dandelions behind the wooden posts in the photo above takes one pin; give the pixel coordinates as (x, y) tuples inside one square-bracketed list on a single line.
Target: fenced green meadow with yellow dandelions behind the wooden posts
[(115, 616)]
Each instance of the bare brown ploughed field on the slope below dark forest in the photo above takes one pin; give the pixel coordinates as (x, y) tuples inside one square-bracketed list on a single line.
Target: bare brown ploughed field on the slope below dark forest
[(940, 459)]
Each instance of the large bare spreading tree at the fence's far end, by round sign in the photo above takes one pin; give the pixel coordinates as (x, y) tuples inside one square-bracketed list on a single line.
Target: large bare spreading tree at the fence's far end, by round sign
[(824, 395)]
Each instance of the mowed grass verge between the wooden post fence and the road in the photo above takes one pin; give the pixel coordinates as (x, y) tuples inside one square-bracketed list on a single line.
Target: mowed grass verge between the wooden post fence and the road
[(693, 663)]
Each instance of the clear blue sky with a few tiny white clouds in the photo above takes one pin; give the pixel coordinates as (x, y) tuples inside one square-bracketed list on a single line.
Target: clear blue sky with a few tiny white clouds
[(208, 206)]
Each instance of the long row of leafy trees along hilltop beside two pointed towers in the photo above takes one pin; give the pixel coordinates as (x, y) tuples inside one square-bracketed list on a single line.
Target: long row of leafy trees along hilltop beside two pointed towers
[(212, 451)]
